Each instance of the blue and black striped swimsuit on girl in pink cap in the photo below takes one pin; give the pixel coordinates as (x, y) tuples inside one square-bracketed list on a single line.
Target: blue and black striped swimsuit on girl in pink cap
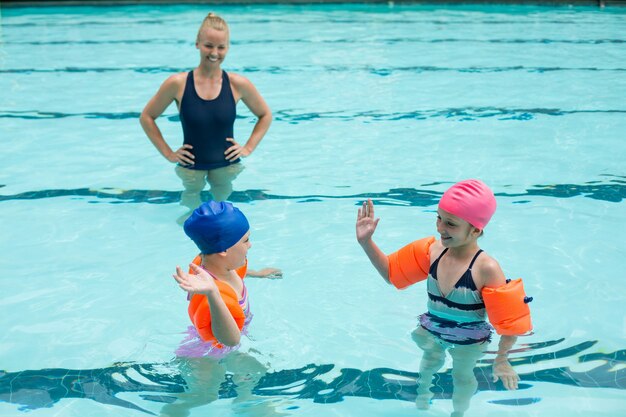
[(459, 317)]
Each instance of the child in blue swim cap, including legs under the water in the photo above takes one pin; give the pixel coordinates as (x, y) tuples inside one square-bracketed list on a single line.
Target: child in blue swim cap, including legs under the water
[(219, 309)]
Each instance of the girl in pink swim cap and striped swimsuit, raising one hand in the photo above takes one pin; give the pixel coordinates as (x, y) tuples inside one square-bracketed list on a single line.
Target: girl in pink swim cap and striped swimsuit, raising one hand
[(455, 321)]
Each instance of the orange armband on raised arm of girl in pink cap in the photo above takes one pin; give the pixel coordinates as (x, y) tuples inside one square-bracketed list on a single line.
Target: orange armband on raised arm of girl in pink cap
[(411, 263)]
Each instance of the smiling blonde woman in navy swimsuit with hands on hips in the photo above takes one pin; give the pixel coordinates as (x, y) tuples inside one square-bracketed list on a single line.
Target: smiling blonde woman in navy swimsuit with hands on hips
[(206, 98)]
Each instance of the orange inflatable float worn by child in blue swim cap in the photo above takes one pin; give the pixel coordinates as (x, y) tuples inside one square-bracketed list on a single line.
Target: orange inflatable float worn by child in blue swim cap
[(200, 312)]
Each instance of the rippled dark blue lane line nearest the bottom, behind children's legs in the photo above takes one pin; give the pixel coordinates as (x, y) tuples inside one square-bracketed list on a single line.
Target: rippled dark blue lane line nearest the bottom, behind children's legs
[(163, 383)]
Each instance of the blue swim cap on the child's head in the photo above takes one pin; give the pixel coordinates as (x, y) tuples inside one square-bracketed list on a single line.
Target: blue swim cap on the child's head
[(215, 227)]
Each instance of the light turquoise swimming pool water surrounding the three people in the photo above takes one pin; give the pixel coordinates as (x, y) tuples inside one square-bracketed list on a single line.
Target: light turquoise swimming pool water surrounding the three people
[(392, 103)]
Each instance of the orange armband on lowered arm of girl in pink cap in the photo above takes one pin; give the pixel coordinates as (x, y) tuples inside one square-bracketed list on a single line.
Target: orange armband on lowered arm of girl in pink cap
[(507, 308)]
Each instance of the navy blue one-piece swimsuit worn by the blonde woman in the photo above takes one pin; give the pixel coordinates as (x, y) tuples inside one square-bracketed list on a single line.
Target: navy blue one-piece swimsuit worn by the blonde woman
[(207, 124)]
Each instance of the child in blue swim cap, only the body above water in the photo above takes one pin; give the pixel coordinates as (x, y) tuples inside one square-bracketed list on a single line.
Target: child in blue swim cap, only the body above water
[(218, 299)]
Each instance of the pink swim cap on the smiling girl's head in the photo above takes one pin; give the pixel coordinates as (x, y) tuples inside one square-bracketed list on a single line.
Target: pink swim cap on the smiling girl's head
[(470, 200)]
